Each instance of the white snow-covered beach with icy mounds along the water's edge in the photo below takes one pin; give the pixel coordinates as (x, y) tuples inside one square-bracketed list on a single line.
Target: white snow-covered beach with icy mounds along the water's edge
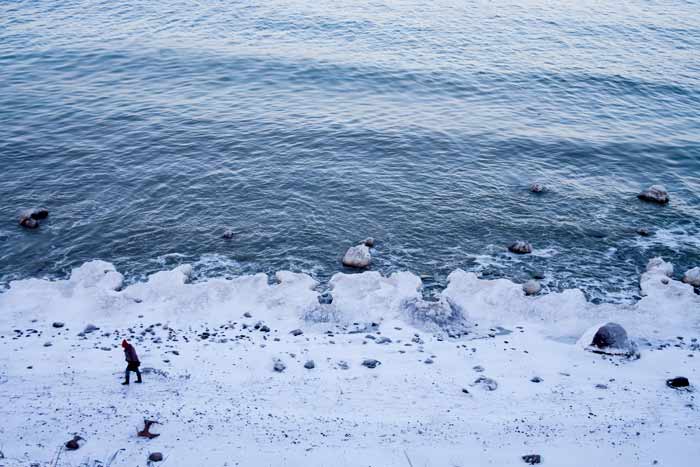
[(221, 404)]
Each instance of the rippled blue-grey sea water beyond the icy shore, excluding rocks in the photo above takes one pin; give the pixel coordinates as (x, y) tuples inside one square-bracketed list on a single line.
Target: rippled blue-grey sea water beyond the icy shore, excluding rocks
[(149, 128)]
